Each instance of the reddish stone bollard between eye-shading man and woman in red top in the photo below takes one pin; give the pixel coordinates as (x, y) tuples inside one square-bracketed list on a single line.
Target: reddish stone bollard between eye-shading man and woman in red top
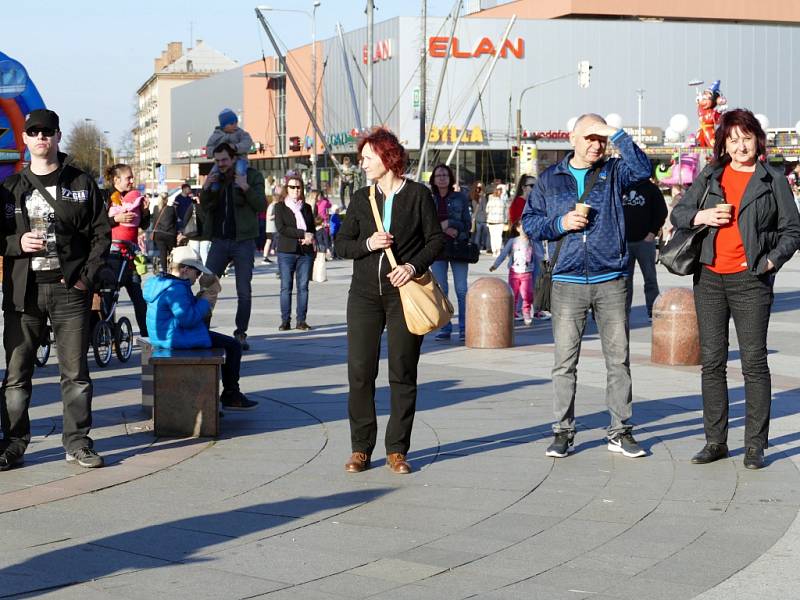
[(676, 339)]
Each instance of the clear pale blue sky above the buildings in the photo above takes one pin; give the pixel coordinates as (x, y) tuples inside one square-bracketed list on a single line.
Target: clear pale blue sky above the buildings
[(88, 57)]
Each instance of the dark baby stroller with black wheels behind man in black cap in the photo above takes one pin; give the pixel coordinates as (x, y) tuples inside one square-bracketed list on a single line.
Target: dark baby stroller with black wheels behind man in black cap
[(110, 334)]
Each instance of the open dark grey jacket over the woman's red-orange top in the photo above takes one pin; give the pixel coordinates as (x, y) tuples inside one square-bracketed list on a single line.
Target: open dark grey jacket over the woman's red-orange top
[(768, 220)]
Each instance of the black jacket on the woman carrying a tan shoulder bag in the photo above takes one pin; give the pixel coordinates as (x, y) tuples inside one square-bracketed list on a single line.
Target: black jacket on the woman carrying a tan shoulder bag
[(418, 236)]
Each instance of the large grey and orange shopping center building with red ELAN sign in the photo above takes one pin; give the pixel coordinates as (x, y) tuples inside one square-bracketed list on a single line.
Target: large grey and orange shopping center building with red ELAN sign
[(641, 65)]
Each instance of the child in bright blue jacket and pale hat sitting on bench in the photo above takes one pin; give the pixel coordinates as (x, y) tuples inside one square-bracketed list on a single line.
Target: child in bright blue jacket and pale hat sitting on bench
[(176, 318)]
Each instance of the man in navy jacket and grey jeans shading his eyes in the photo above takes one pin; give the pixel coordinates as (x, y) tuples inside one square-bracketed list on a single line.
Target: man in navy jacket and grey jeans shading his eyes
[(589, 270)]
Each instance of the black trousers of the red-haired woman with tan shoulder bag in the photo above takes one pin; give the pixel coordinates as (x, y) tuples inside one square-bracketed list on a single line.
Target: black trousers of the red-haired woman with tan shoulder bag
[(367, 315)]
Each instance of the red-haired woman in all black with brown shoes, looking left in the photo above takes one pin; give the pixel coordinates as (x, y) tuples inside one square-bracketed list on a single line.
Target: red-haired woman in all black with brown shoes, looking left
[(413, 232)]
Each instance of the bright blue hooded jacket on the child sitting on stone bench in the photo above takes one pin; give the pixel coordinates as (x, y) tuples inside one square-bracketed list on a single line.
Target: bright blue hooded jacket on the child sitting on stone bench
[(174, 315)]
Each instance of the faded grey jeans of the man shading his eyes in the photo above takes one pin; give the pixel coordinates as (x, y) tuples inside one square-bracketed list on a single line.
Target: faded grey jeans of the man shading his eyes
[(570, 303)]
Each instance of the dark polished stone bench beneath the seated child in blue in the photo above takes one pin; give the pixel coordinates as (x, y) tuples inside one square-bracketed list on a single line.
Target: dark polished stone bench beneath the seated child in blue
[(180, 388)]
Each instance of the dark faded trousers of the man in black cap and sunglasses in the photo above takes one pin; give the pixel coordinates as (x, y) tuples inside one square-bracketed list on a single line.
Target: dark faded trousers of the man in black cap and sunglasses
[(69, 311)]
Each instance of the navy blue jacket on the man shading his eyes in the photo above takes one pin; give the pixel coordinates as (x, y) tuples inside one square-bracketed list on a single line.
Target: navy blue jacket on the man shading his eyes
[(601, 253)]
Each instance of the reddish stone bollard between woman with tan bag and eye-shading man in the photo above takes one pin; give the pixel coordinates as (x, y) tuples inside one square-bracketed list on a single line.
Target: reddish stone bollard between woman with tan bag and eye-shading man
[(490, 314)]
